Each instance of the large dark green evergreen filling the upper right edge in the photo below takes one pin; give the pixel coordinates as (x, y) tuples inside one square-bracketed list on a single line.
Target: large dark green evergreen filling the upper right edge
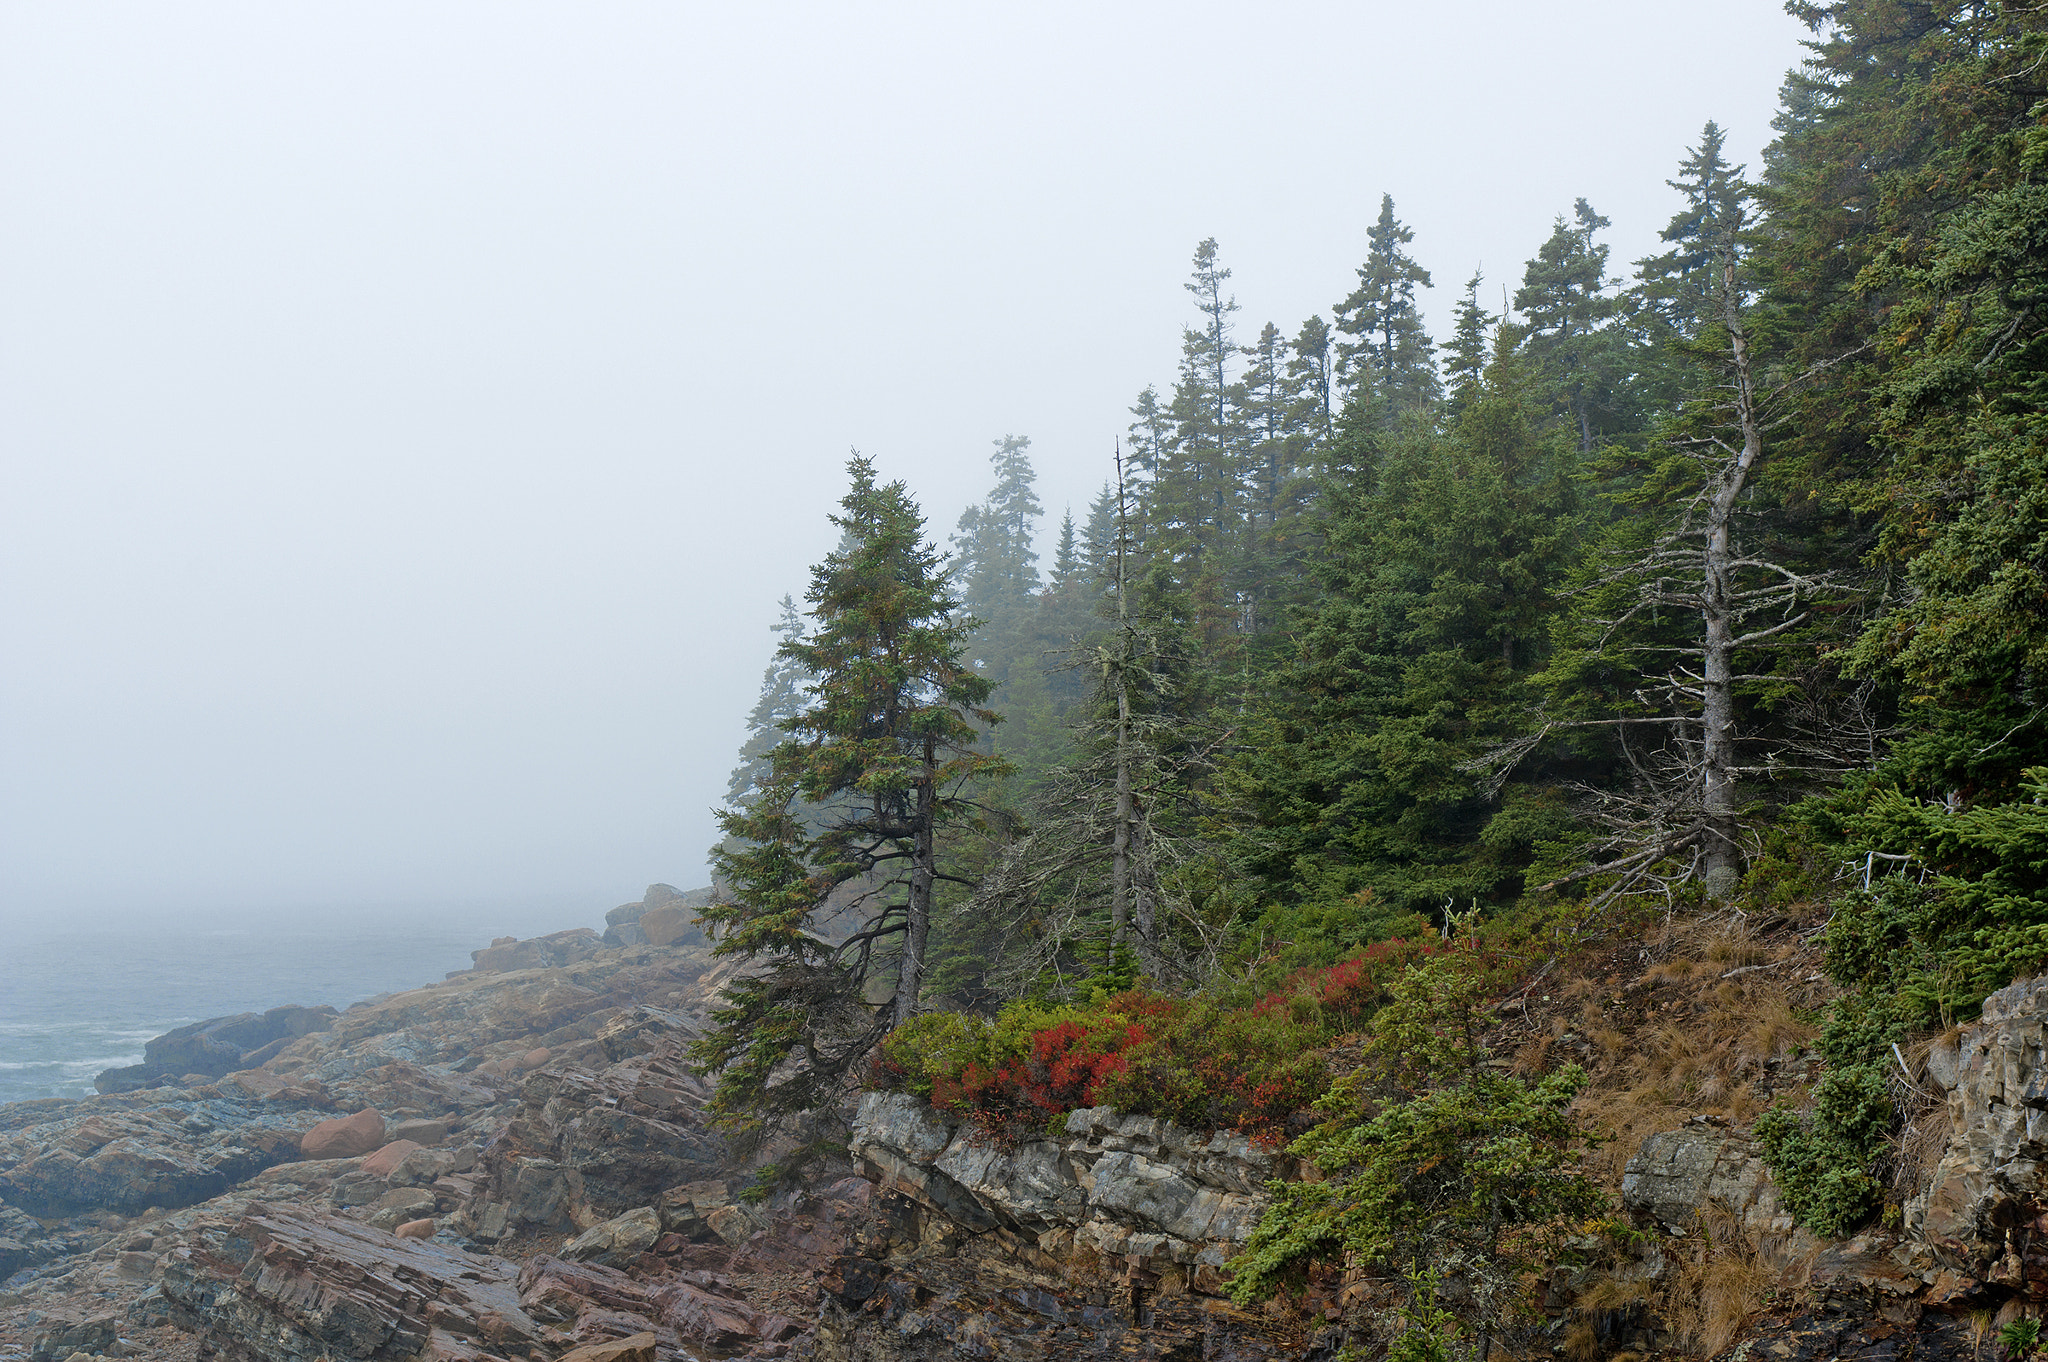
[(1906, 275)]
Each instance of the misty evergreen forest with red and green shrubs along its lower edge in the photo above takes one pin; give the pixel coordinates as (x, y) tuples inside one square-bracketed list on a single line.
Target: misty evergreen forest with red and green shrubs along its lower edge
[(1388, 665)]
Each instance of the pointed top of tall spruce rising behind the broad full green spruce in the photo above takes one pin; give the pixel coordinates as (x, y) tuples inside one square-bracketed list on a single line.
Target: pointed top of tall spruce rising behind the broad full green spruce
[(1388, 364)]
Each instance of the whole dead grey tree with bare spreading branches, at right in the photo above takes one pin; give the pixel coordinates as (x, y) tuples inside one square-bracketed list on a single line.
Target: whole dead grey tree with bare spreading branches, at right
[(1680, 816)]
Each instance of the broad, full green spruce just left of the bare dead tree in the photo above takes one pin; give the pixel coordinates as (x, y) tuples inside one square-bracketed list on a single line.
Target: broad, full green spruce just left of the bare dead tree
[(1439, 583)]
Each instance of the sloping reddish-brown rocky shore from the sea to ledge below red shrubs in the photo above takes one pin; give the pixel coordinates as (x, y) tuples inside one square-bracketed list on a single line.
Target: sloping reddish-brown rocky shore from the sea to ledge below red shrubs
[(515, 1164)]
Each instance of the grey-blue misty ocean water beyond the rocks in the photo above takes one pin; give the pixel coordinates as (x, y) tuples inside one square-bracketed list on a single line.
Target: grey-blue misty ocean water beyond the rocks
[(85, 996)]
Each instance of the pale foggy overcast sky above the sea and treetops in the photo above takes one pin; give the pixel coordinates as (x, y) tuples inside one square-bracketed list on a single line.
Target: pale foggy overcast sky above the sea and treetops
[(413, 413)]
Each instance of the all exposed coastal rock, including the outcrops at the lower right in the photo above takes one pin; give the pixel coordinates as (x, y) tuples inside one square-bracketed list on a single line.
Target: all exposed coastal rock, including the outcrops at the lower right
[(515, 1164)]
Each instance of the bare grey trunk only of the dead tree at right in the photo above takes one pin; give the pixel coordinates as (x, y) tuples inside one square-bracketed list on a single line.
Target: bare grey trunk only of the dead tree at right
[(1721, 853)]
